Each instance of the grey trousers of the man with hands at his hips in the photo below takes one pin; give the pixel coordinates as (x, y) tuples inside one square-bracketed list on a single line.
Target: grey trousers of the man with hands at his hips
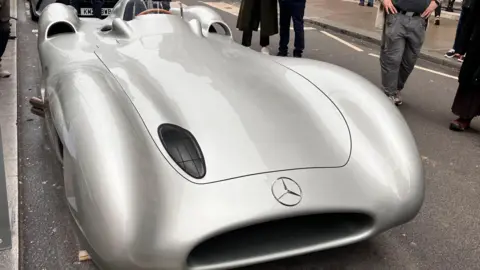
[(402, 39)]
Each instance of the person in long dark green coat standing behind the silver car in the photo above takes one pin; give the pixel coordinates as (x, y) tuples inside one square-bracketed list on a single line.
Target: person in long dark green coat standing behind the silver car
[(255, 13)]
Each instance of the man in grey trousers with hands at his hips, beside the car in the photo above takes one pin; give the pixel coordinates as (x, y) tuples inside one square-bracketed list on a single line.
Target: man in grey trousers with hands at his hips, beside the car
[(403, 35)]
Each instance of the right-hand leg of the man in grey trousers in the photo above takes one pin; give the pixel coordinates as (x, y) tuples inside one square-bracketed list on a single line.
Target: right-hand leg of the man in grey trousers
[(415, 36)]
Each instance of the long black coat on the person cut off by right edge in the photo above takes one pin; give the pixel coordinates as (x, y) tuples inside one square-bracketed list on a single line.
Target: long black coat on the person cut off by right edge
[(470, 71)]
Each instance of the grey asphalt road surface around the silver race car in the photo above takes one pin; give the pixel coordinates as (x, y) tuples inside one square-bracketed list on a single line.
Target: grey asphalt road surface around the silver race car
[(445, 235)]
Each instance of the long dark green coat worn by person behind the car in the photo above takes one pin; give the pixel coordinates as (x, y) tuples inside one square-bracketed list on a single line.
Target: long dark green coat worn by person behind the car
[(258, 12)]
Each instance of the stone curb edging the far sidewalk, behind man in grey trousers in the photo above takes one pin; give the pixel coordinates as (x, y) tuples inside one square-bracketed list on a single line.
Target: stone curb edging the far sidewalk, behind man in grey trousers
[(366, 36)]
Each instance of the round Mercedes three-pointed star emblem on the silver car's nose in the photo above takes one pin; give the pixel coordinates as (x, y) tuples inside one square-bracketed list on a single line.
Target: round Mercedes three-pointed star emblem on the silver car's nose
[(286, 191)]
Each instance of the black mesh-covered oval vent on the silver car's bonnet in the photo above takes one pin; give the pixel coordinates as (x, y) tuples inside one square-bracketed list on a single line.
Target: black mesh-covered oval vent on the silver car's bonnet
[(183, 149)]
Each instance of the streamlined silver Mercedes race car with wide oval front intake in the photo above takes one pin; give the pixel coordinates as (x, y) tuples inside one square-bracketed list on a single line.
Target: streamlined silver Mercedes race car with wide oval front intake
[(182, 149)]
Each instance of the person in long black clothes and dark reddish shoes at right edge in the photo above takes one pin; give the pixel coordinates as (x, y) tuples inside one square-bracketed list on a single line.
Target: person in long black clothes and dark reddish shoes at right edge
[(466, 104)]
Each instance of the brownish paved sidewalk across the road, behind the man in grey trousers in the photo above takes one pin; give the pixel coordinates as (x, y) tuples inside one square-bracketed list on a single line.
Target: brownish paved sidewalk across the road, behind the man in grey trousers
[(347, 17)]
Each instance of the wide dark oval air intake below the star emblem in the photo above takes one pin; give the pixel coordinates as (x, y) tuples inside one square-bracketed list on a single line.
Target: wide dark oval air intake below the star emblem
[(266, 240)]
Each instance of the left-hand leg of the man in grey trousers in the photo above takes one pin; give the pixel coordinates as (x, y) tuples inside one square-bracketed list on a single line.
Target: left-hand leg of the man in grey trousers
[(391, 53)]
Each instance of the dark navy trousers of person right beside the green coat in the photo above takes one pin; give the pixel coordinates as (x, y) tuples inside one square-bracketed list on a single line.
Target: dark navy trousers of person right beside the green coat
[(292, 10)]
